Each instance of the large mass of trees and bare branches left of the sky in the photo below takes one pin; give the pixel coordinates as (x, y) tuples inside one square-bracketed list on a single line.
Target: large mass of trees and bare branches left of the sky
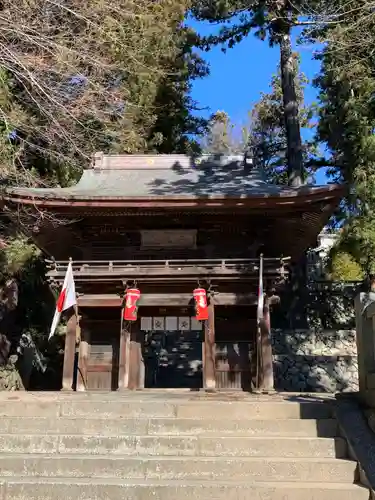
[(90, 77)]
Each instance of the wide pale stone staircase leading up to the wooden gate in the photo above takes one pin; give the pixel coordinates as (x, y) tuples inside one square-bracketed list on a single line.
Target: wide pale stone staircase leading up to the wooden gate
[(164, 445)]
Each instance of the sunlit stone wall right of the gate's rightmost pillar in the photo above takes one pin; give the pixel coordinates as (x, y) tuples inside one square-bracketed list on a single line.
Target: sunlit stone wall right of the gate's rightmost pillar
[(315, 361)]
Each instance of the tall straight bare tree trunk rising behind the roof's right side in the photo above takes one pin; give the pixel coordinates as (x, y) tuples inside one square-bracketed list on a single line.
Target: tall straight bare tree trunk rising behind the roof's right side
[(292, 124)]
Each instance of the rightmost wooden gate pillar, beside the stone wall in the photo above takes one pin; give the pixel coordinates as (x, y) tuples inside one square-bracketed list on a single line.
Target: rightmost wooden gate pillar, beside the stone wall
[(266, 379)]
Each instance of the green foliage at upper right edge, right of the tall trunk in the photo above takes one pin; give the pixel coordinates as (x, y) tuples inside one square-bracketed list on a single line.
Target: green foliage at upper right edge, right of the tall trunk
[(346, 111)]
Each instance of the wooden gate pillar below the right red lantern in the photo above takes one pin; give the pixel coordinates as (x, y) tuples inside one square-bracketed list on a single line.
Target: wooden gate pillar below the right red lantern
[(209, 358)]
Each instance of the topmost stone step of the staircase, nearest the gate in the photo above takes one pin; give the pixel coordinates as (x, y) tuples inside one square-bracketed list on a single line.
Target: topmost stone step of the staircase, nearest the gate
[(130, 408)]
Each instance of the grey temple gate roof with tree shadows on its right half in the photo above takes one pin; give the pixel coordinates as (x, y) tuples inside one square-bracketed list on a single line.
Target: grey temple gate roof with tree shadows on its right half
[(157, 177)]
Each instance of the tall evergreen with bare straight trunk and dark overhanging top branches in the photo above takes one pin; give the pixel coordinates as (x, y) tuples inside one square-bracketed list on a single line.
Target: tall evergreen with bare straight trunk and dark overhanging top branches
[(273, 19)]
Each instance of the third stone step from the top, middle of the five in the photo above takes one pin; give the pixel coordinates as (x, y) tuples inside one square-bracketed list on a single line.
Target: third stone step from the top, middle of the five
[(175, 445)]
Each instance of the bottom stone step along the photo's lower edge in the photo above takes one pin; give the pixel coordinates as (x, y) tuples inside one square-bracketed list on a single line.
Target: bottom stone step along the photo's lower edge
[(116, 489)]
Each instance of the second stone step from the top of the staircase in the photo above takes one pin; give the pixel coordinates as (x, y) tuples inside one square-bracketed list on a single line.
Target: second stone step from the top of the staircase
[(169, 426)]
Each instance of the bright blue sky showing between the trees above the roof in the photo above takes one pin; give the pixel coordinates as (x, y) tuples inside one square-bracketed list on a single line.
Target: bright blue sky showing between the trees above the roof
[(238, 77)]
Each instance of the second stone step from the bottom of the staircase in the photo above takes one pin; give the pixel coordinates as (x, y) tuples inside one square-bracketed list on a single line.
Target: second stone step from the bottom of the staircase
[(180, 468)]
